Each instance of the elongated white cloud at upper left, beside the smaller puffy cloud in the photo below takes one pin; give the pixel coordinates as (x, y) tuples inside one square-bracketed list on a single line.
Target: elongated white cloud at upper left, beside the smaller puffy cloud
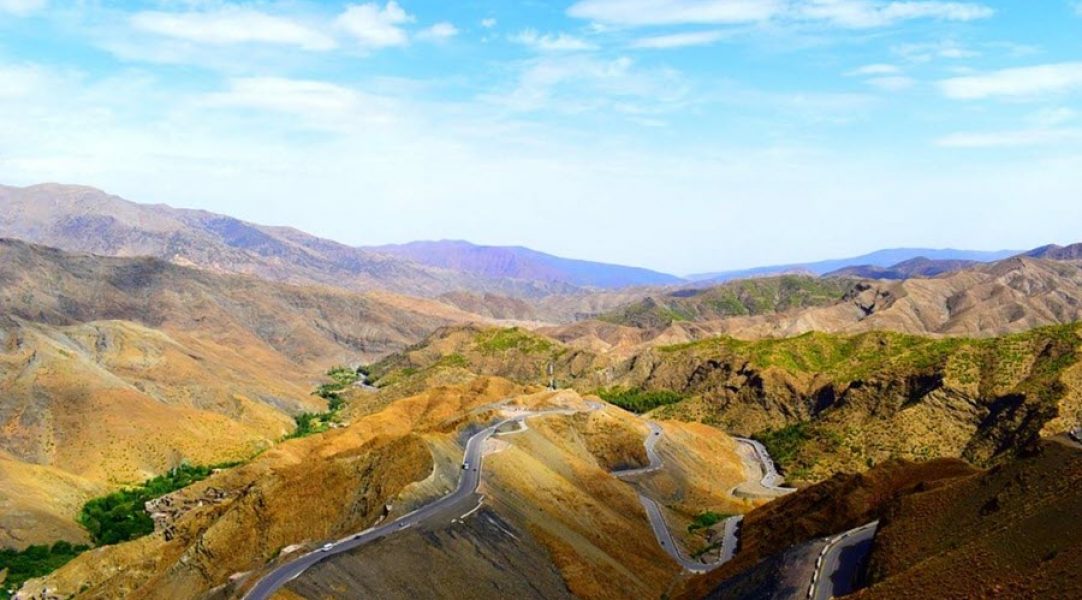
[(230, 26)]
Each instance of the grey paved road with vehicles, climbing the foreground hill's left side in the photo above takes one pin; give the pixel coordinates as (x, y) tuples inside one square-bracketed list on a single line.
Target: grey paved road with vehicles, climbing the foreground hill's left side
[(454, 505)]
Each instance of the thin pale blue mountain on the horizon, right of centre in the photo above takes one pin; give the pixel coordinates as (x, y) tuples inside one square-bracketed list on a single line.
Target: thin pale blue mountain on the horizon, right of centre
[(878, 259)]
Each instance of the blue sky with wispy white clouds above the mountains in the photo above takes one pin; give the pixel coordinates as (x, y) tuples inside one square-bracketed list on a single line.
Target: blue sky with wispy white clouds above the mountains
[(682, 136)]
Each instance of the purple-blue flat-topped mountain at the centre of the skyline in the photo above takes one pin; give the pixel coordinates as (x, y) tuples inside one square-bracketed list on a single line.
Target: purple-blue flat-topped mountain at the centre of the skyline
[(522, 263)]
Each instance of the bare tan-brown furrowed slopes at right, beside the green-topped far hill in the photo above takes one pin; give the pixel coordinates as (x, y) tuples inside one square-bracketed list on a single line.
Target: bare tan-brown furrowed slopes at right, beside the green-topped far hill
[(1009, 297)]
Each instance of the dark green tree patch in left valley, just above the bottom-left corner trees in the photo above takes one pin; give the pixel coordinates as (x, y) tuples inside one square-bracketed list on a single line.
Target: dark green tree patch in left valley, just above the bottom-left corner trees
[(122, 516)]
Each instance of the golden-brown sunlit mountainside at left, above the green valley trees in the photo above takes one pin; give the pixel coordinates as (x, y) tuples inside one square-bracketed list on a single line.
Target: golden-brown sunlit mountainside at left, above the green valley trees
[(113, 369)]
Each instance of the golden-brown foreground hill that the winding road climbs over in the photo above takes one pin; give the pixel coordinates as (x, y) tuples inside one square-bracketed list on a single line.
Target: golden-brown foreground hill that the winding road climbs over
[(552, 510)]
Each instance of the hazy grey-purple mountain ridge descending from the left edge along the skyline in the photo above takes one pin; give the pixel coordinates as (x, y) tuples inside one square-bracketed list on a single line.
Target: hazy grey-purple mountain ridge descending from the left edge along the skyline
[(85, 220)]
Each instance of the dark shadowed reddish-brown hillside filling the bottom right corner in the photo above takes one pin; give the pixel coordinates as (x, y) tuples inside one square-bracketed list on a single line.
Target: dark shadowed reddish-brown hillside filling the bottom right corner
[(946, 531)]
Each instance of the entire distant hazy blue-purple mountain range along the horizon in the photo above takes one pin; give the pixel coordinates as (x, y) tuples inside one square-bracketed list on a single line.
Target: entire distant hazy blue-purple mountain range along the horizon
[(78, 219)]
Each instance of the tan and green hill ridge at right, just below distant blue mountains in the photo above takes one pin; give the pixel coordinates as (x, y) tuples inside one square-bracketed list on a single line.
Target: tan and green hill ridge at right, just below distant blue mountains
[(1008, 297)]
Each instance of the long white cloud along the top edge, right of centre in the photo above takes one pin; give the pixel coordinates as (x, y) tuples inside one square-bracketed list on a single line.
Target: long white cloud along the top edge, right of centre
[(843, 14)]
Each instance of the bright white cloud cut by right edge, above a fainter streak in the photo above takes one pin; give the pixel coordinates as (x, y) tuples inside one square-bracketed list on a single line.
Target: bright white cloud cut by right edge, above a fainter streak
[(1023, 83)]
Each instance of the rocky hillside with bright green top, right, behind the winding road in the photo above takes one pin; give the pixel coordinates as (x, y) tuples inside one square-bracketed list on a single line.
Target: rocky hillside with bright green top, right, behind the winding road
[(823, 403)]
